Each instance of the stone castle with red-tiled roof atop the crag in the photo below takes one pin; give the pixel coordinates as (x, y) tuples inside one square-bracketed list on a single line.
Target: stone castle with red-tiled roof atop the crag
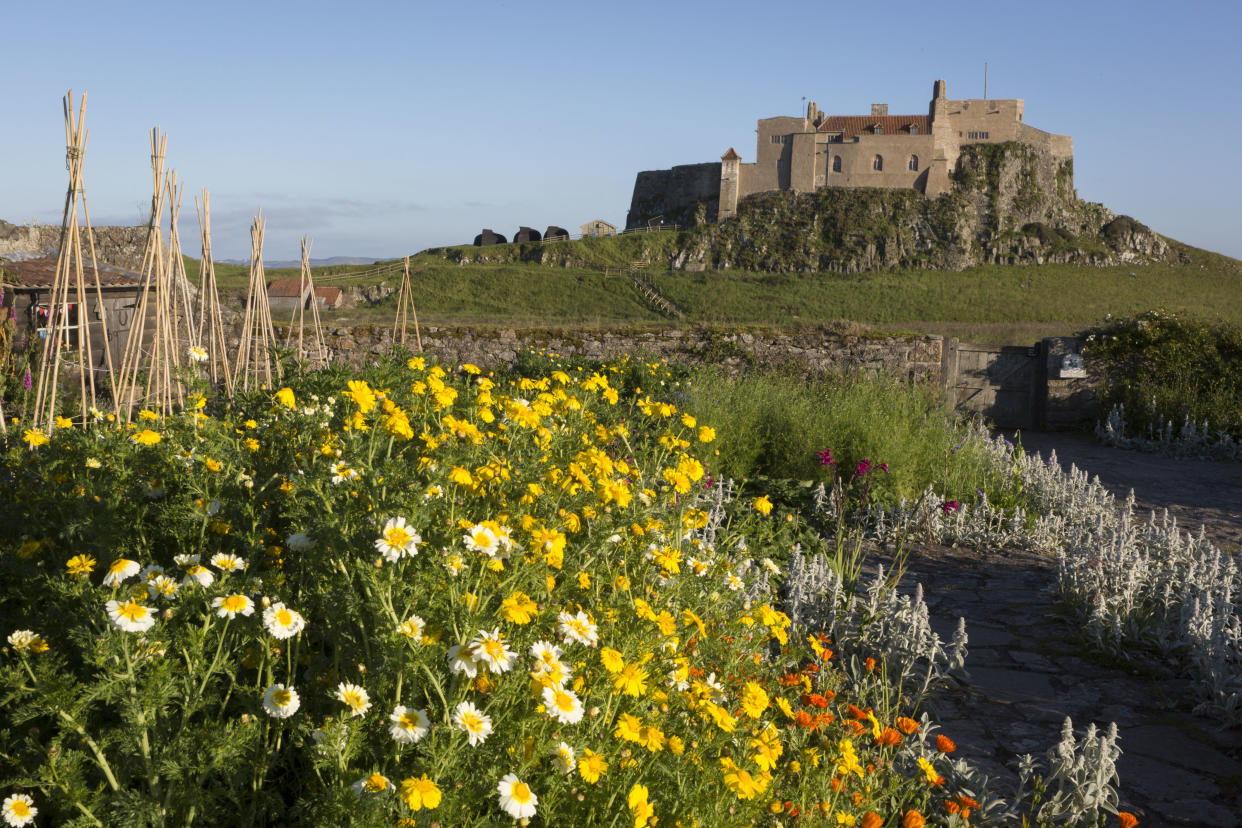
[(876, 151)]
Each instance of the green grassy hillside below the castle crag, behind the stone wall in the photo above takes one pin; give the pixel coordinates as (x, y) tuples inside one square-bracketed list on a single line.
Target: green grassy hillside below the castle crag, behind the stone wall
[(587, 282)]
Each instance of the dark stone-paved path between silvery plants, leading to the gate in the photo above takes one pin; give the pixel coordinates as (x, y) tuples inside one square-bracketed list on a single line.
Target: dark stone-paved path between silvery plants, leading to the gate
[(1028, 673)]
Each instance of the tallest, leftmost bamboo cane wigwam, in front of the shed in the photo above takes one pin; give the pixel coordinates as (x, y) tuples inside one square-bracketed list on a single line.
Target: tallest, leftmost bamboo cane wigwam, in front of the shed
[(70, 284)]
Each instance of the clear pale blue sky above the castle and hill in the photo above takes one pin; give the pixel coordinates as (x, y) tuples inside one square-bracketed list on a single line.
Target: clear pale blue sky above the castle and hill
[(382, 130)]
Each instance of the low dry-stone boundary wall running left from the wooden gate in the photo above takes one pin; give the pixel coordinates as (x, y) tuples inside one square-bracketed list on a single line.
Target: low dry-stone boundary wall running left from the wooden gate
[(917, 359)]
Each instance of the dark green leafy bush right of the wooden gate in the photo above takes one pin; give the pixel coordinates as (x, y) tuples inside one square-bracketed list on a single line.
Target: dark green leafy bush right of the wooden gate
[(1167, 368)]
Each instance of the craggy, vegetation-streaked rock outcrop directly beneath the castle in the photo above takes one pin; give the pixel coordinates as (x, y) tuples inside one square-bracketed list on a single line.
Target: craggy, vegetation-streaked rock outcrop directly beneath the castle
[(1012, 204)]
